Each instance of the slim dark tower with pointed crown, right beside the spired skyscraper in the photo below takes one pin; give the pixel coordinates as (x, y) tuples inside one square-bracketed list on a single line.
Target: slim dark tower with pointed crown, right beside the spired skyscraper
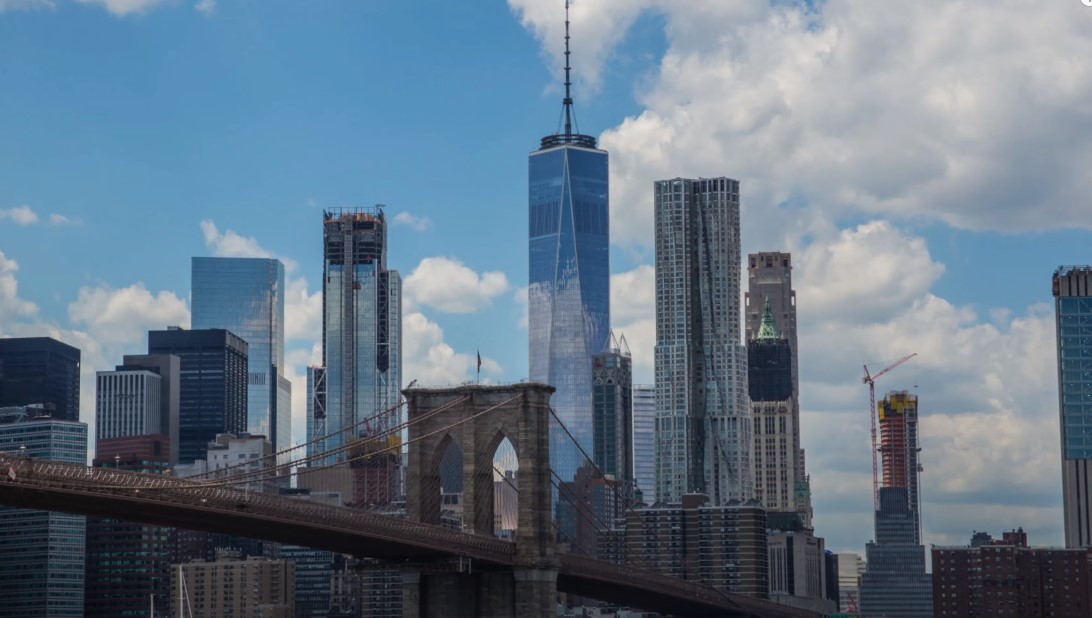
[(613, 407)]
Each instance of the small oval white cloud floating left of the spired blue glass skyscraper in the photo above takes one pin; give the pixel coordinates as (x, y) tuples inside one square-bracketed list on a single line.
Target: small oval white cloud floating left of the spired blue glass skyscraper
[(448, 286)]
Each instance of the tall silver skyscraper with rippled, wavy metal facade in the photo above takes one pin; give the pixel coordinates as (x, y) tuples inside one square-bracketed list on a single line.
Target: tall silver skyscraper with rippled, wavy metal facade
[(704, 425)]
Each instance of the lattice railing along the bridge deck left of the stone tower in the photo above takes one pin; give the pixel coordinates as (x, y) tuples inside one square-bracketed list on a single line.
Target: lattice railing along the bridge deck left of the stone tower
[(43, 474)]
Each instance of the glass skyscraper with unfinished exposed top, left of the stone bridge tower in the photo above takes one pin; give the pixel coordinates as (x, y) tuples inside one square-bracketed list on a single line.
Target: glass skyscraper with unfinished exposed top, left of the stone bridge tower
[(362, 330)]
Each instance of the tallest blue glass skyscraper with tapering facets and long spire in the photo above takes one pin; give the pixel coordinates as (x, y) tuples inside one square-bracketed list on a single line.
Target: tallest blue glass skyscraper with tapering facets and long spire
[(569, 286)]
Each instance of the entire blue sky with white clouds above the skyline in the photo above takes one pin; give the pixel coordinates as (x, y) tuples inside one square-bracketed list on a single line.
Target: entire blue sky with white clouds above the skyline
[(924, 163)]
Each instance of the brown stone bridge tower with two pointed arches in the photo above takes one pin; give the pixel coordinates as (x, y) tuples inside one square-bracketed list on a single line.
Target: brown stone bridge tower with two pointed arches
[(480, 418)]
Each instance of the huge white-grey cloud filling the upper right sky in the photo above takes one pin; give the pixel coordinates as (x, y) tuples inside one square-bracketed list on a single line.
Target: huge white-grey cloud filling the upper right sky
[(857, 108)]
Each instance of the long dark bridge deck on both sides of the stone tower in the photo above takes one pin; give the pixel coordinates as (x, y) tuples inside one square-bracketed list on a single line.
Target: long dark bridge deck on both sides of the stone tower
[(163, 501)]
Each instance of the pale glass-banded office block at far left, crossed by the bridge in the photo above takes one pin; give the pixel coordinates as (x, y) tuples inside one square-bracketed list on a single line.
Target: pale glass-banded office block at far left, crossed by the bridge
[(42, 554)]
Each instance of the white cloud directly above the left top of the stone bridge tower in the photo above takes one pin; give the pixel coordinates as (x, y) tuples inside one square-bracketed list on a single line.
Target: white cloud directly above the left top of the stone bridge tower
[(431, 361)]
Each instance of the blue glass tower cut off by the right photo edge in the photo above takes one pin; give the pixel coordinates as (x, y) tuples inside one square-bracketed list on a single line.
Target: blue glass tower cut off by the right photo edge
[(1073, 294)]
